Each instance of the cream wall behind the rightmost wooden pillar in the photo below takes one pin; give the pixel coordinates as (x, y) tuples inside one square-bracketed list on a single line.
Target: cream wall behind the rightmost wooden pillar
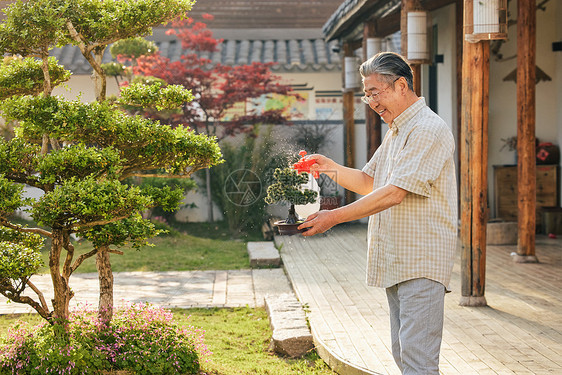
[(503, 95)]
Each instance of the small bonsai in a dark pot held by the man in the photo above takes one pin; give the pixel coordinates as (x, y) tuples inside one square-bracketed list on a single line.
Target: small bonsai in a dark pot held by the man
[(287, 188)]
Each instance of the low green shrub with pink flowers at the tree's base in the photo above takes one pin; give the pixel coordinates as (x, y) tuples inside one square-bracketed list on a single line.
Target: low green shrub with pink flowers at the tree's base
[(141, 339)]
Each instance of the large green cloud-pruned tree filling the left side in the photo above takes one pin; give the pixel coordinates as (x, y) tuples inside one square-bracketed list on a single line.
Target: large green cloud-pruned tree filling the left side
[(77, 153)]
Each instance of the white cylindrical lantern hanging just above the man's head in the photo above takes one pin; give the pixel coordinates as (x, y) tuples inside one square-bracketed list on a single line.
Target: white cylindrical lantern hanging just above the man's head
[(418, 51)]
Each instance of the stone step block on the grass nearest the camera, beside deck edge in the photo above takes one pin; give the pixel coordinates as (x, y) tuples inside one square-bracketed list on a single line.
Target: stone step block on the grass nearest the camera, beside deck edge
[(291, 334)]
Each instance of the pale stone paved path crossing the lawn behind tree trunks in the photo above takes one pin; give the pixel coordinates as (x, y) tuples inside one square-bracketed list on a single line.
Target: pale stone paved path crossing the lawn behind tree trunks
[(171, 289)]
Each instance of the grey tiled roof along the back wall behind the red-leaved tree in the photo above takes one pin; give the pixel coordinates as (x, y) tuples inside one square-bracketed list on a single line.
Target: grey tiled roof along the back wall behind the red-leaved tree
[(291, 54)]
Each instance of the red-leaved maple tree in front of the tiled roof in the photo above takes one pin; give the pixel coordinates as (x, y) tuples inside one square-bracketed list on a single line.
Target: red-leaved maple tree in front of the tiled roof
[(217, 88)]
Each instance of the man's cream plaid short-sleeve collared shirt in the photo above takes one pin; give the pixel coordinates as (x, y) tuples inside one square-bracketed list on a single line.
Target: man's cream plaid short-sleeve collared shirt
[(418, 237)]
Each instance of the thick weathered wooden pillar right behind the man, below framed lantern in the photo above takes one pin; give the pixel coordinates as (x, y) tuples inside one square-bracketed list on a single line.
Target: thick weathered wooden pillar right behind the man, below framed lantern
[(474, 165)]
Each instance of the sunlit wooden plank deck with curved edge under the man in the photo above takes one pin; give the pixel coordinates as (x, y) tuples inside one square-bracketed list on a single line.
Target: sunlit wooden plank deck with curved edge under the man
[(520, 332)]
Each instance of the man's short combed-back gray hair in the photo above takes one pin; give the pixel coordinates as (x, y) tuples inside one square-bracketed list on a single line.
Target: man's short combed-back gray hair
[(390, 66)]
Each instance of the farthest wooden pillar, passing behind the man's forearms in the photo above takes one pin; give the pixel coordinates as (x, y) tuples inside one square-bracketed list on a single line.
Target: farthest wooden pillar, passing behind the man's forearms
[(349, 123)]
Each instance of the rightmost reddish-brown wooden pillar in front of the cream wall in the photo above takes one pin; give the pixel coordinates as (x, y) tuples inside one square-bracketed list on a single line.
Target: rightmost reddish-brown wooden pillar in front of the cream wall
[(526, 152)]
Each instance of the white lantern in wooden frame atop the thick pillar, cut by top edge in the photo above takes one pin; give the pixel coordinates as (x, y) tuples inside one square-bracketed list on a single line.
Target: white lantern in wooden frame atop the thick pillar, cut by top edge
[(485, 20)]
